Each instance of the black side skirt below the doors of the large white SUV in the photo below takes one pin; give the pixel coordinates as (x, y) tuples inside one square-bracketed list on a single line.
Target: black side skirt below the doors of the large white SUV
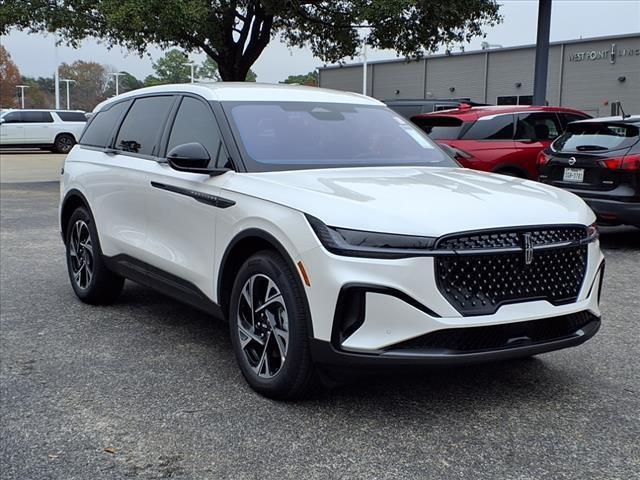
[(163, 282)]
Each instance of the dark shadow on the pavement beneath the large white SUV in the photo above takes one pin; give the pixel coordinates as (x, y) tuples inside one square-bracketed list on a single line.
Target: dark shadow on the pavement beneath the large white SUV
[(494, 383)]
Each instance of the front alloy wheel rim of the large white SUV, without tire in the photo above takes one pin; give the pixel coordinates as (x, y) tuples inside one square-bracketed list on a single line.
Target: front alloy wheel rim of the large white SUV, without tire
[(263, 325)]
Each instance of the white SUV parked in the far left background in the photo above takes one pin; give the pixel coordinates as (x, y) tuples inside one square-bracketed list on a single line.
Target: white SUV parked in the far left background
[(56, 130)]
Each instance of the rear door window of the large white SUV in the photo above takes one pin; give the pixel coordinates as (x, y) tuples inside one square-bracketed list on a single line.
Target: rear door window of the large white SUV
[(143, 124)]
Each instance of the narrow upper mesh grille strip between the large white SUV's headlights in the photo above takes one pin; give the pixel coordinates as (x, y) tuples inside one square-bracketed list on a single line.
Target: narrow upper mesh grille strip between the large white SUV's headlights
[(539, 236)]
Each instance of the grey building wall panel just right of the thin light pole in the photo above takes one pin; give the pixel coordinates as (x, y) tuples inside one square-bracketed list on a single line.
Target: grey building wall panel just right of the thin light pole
[(406, 78)]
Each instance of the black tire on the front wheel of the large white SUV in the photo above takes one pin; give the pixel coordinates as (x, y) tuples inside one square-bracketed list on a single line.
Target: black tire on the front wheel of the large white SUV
[(296, 376)]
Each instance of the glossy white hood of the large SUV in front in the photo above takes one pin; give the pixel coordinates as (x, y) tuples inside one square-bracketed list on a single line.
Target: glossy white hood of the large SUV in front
[(415, 200)]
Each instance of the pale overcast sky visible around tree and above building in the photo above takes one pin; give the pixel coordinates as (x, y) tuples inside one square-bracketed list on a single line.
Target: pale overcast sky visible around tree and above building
[(34, 54)]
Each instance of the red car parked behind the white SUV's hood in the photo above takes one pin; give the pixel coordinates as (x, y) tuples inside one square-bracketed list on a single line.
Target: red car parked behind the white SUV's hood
[(502, 139)]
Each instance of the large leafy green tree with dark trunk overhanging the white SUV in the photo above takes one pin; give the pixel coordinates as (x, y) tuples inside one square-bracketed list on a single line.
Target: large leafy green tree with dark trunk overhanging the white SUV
[(234, 33)]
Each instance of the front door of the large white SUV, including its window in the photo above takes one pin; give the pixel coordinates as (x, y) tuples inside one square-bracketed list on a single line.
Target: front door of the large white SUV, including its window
[(181, 229)]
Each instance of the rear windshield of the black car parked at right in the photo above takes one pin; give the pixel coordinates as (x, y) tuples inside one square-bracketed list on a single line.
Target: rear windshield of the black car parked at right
[(591, 136)]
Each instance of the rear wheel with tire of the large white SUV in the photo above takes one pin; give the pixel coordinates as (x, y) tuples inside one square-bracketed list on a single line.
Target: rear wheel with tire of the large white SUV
[(90, 278)]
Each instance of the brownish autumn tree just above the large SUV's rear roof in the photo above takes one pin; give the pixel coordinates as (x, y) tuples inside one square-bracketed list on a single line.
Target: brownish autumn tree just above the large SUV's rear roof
[(91, 79)]
